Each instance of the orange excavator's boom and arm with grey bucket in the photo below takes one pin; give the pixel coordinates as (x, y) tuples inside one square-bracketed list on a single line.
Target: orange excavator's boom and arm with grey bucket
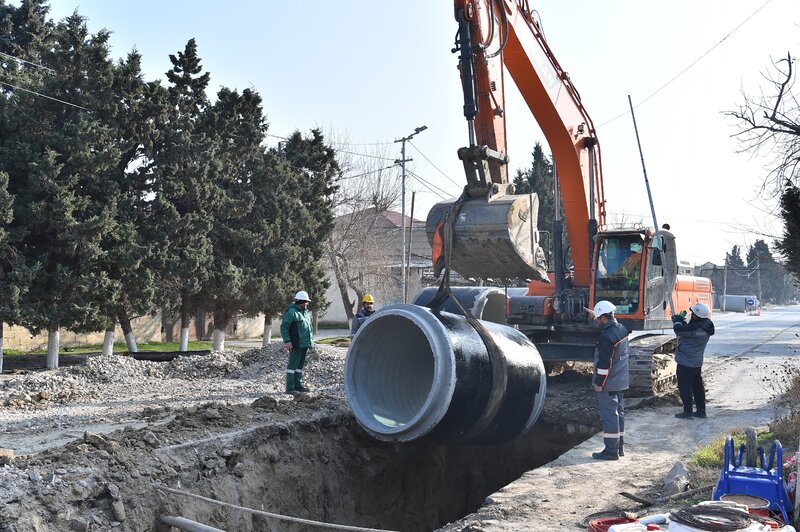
[(494, 37)]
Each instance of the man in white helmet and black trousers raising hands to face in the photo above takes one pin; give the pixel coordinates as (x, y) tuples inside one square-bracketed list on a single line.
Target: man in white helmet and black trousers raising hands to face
[(692, 340)]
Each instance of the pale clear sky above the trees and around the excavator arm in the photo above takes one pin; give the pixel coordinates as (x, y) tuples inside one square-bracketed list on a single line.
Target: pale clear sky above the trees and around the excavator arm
[(369, 72)]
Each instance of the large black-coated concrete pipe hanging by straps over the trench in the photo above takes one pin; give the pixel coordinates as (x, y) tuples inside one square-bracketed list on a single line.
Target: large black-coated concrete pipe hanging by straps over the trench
[(412, 373)]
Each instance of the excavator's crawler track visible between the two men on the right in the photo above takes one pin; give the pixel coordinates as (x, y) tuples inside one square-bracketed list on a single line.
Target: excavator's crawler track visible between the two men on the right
[(652, 364)]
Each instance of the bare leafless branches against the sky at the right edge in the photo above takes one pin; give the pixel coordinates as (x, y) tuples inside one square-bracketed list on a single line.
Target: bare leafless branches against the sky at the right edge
[(770, 122)]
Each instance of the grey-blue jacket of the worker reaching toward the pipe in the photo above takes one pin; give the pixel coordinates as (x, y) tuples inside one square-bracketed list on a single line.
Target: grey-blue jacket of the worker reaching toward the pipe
[(611, 370)]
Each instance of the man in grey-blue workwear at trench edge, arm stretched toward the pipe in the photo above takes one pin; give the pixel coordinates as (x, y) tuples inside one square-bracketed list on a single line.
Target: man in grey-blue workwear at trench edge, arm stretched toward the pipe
[(610, 379)]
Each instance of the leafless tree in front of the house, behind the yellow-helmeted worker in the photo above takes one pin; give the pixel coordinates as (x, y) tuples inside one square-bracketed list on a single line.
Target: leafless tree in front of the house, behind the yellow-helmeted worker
[(358, 250)]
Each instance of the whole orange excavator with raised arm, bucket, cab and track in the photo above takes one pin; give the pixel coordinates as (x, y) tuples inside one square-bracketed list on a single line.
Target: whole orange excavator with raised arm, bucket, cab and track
[(489, 232)]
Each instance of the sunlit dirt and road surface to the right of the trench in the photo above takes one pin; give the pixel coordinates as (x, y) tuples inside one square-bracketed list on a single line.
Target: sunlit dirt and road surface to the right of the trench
[(744, 358)]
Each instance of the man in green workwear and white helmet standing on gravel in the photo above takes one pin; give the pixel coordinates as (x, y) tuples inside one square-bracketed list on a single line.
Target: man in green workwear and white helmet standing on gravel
[(297, 332)]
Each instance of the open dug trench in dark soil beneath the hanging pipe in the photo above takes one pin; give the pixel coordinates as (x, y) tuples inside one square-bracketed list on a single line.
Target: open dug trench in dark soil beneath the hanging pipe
[(335, 473)]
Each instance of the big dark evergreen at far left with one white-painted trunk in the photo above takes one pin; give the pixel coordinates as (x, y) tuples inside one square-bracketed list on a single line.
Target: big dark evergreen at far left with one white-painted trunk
[(53, 153)]
